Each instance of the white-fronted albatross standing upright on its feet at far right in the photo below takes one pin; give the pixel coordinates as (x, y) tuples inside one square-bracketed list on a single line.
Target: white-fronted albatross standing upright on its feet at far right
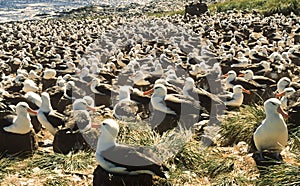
[(272, 134)]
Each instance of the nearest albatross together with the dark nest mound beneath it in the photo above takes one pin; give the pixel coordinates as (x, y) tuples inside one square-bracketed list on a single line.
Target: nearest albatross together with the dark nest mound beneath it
[(123, 164)]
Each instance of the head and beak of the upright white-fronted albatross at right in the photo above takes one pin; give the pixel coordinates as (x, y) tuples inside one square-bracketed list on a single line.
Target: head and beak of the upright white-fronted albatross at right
[(272, 107)]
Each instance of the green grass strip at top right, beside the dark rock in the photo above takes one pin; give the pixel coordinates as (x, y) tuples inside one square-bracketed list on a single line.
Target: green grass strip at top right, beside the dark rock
[(265, 7)]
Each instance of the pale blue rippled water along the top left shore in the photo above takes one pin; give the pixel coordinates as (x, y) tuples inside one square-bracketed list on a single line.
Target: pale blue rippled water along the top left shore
[(14, 10)]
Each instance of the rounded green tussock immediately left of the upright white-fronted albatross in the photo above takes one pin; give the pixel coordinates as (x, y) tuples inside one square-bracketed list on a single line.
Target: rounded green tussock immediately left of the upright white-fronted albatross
[(240, 126)]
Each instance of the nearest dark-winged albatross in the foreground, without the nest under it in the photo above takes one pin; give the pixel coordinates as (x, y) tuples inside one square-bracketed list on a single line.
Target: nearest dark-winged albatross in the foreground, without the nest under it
[(125, 159)]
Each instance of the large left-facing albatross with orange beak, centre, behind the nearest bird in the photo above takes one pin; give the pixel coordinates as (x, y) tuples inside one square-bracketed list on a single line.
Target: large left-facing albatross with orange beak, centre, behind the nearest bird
[(169, 109)]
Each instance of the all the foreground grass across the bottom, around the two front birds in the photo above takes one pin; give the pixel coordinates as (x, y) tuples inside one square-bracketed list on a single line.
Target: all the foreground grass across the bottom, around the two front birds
[(189, 161)]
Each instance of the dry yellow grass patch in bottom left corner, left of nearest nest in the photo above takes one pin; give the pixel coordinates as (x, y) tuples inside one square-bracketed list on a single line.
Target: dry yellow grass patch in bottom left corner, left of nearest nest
[(48, 169)]
